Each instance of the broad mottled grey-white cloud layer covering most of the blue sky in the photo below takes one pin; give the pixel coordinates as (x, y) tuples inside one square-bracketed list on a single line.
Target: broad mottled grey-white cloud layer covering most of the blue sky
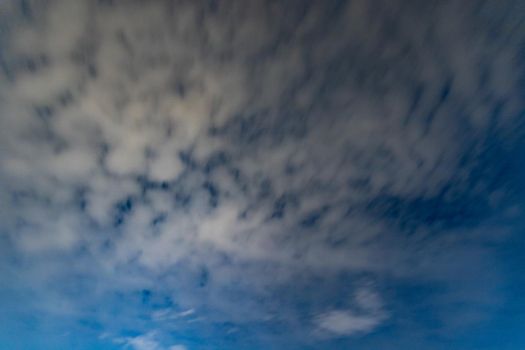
[(224, 151)]
